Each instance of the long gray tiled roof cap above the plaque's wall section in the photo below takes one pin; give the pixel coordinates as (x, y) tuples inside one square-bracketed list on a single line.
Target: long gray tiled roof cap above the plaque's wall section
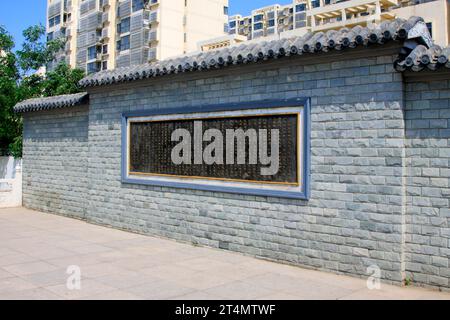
[(250, 52)]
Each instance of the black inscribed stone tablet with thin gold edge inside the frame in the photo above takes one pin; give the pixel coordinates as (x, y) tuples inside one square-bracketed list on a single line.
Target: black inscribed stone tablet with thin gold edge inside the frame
[(257, 148)]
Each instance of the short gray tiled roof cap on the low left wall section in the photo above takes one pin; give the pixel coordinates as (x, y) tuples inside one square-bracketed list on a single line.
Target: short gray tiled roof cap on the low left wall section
[(48, 103)]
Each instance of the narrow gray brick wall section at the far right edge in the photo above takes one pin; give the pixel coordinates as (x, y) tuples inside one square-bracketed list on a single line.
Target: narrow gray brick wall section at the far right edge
[(427, 116)]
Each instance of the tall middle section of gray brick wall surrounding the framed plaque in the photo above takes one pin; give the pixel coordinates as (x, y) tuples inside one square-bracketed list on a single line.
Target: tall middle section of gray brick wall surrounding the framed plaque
[(354, 217)]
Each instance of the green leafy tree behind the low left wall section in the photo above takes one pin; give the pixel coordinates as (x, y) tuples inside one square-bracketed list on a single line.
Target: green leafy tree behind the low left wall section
[(19, 80)]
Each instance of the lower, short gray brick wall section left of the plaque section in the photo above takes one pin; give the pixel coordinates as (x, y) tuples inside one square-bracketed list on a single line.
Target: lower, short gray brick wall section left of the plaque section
[(55, 161)]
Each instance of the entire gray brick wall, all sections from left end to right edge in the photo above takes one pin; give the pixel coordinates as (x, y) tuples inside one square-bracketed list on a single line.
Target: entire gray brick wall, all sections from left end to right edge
[(379, 169)]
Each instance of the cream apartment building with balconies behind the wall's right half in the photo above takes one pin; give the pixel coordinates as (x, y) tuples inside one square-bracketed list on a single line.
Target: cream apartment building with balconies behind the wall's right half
[(302, 16)]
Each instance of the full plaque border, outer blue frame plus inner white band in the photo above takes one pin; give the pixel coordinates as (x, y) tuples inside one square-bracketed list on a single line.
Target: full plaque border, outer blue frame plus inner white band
[(300, 106)]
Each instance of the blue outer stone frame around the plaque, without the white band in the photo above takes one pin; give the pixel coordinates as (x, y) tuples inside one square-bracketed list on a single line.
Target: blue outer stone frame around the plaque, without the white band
[(305, 103)]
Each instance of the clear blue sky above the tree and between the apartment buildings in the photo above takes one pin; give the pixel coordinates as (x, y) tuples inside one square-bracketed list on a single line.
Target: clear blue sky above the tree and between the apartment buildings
[(16, 15)]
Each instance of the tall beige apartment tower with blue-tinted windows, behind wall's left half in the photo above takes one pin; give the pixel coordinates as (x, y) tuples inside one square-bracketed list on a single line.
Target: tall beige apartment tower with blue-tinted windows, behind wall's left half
[(105, 34)]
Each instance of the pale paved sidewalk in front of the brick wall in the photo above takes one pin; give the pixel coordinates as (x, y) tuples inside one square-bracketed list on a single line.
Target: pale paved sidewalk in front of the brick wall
[(36, 250)]
